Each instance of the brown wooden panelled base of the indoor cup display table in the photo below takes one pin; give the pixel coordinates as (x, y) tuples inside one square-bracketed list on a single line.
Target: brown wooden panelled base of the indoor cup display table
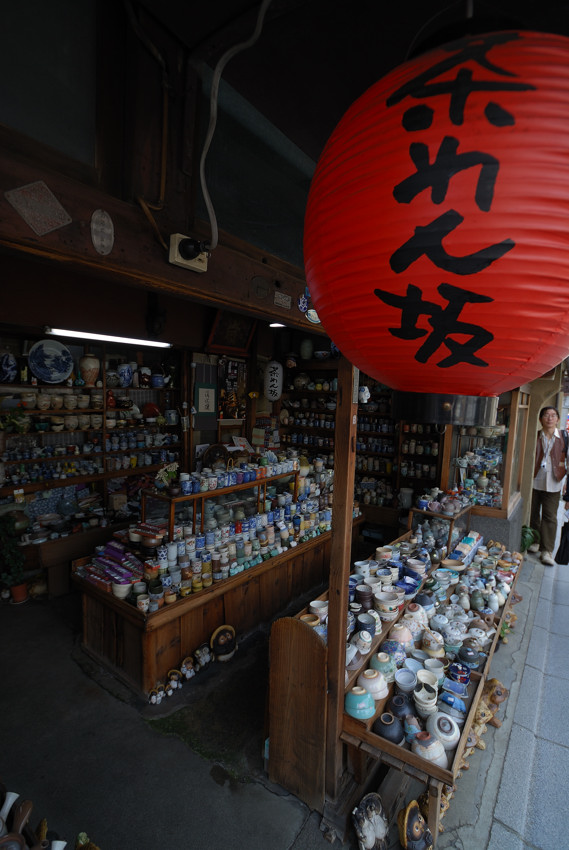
[(141, 648)]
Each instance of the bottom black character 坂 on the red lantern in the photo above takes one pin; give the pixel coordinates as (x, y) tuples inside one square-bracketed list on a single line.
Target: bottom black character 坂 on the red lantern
[(444, 322)]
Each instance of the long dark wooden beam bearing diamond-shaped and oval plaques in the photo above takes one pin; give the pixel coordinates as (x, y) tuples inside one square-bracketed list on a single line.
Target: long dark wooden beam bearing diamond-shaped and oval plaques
[(239, 276)]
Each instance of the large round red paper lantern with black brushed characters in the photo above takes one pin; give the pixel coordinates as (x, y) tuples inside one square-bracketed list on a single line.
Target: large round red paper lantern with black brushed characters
[(437, 229)]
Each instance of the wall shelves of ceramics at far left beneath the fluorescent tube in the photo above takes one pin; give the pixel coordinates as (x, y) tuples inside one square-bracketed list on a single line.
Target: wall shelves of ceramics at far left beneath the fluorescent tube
[(101, 453)]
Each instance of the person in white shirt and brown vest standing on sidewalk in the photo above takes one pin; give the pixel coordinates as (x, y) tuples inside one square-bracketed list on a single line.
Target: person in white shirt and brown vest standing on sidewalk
[(549, 474)]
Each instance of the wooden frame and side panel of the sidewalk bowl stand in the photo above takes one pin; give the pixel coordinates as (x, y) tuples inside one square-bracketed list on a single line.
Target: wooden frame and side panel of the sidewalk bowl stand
[(298, 724)]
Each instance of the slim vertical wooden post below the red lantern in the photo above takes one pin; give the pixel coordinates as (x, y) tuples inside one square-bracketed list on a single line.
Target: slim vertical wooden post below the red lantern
[(344, 465)]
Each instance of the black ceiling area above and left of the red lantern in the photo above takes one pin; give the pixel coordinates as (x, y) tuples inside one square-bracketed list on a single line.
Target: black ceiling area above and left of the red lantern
[(313, 58)]
